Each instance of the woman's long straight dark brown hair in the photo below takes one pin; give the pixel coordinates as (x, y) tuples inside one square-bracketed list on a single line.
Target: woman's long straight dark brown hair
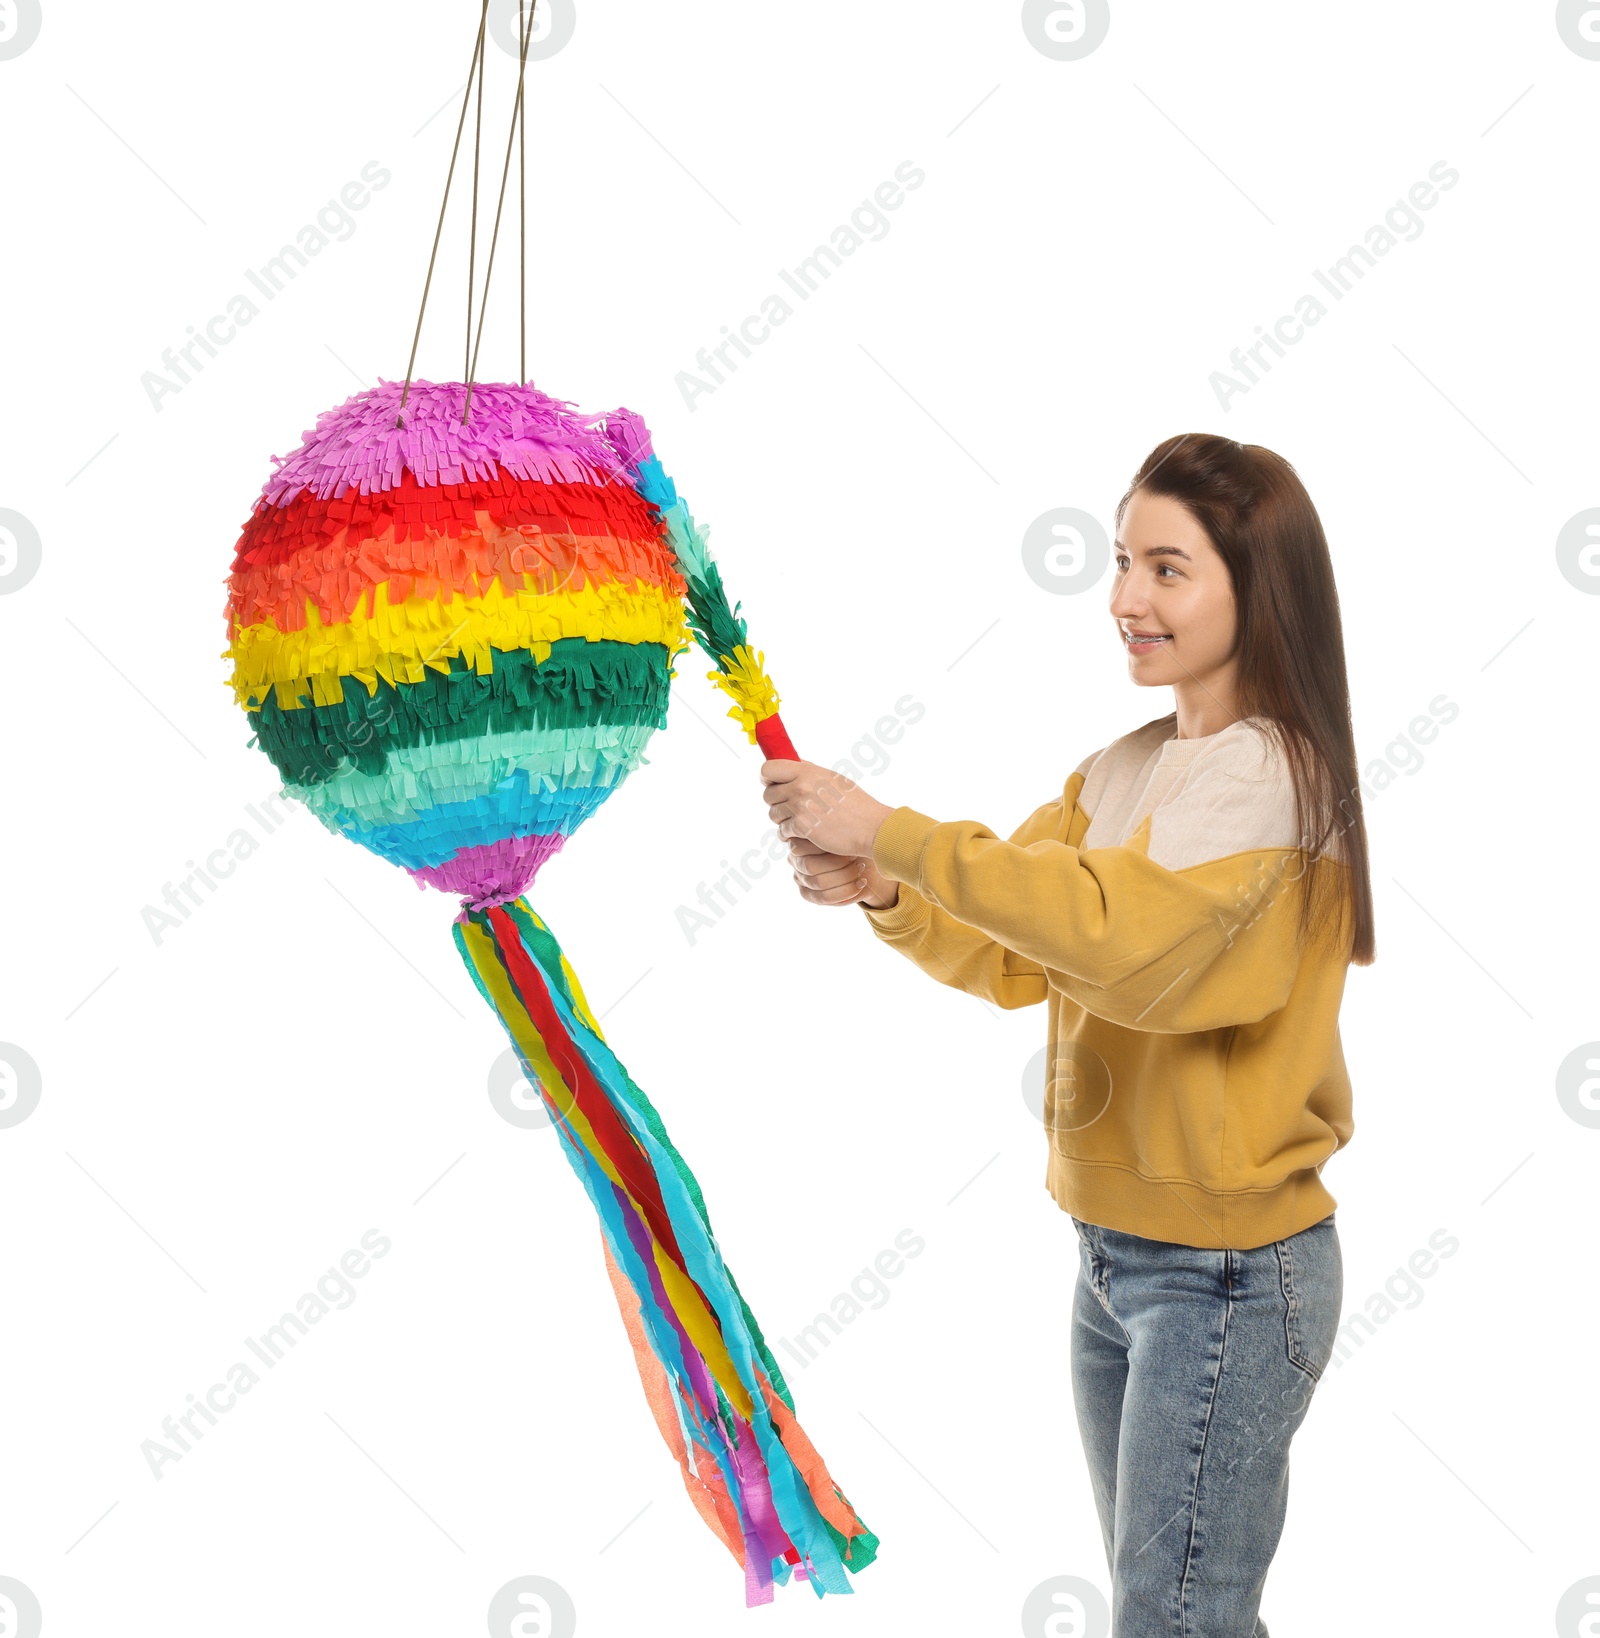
[(1290, 645)]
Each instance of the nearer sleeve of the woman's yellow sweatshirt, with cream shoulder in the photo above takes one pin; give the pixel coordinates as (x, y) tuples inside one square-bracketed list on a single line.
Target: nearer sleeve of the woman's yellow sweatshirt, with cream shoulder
[(1201, 941)]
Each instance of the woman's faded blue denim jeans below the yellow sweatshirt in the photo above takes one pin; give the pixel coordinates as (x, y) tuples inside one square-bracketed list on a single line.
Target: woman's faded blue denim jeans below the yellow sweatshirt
[(1191, 1372)]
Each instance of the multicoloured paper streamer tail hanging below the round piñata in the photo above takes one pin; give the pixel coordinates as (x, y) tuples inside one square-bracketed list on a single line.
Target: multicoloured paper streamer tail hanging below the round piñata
[(715, 1390)]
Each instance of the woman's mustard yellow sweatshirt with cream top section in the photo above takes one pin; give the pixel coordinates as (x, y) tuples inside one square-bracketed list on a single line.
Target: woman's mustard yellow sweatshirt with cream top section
[(1196, 1080)]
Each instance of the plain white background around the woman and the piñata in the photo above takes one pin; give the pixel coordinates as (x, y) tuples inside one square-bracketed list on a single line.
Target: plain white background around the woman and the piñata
[(305, 1059)]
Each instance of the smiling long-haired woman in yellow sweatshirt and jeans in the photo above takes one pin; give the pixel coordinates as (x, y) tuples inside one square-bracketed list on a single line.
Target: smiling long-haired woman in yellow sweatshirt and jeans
[(1186, 908)]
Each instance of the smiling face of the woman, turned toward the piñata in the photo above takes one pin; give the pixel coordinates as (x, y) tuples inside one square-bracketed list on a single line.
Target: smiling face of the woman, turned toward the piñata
[(1172, 589)]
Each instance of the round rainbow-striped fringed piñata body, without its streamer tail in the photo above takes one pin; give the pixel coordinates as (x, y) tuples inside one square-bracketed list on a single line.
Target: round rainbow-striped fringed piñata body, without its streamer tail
[(456, 640)]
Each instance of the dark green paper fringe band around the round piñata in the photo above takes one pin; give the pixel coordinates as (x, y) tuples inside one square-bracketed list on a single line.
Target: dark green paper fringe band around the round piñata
[(582, 684)]
